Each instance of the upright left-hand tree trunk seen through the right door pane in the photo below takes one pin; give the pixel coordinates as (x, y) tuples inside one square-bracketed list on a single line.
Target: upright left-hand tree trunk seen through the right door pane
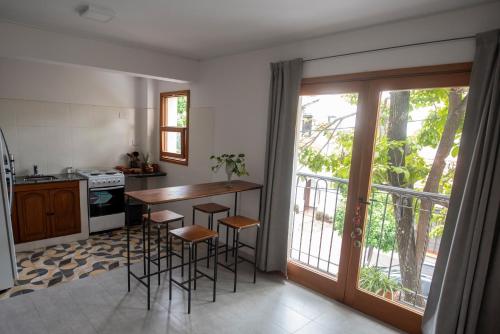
[(402, 206)]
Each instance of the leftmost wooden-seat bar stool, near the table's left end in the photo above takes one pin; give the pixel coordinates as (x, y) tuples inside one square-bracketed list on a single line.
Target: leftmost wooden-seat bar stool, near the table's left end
[(159, 219)]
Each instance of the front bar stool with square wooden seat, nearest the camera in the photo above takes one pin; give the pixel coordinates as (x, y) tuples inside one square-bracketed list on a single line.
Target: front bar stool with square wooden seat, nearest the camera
[(193, 235)]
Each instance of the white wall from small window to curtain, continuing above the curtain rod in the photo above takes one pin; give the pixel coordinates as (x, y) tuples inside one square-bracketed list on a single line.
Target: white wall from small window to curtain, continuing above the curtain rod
[(236, 87)]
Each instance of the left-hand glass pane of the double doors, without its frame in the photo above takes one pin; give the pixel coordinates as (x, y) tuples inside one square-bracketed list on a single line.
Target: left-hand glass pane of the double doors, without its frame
[(324, 146)]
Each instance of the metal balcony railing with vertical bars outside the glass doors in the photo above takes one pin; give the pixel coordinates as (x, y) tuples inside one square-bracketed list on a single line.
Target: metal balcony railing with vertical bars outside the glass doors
[(317, 223)]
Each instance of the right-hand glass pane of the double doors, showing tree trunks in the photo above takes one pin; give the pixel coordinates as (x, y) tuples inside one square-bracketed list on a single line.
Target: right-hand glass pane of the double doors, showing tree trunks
[(412, 173)]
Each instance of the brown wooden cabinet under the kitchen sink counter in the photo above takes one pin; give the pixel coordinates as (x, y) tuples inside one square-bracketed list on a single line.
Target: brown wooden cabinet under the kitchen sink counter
[(47, 210)]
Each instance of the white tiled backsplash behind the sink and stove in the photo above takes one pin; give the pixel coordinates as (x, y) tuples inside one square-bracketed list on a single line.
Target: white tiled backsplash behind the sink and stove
[(58, 135)]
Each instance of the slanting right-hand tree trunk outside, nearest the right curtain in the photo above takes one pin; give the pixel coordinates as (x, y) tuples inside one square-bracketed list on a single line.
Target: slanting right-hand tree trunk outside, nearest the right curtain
[(456, 112)]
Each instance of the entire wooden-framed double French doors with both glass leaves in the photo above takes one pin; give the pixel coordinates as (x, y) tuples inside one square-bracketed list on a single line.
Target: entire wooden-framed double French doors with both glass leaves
[(376, 155)]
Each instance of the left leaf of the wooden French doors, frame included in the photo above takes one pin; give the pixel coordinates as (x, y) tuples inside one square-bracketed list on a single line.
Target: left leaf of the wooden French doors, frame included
[(328, 122)]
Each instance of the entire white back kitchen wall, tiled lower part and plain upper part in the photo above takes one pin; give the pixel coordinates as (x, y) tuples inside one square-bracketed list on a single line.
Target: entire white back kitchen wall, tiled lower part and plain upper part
[(58, 116)]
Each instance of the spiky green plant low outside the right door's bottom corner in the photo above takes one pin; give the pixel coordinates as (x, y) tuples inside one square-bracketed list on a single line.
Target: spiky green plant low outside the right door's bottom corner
[(375, 280)]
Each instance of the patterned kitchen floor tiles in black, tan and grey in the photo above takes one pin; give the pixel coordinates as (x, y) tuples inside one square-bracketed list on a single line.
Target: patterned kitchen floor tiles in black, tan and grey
[(62, 263)]
